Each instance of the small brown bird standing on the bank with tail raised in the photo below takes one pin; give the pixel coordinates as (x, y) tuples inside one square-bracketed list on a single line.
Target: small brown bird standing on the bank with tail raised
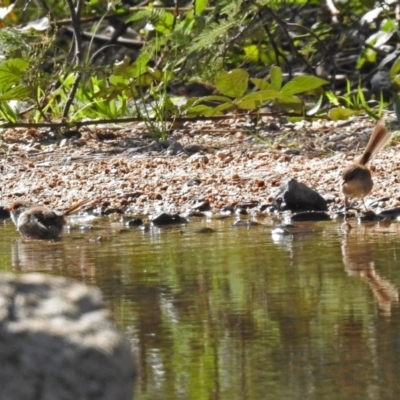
[(357, 179)]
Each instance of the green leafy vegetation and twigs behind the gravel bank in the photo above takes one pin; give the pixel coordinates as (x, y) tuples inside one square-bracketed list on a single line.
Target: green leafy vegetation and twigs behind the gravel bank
[(79, 61)]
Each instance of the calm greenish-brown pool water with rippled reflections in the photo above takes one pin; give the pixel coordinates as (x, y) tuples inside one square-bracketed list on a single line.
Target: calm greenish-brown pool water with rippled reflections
[(239, 314)]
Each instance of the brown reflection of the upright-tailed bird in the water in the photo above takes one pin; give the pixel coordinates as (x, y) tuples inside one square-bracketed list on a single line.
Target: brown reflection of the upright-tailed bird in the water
[(359, 260)]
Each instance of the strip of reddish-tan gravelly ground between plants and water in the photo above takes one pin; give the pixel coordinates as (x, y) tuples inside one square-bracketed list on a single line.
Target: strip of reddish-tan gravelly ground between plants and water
[(225, 163)]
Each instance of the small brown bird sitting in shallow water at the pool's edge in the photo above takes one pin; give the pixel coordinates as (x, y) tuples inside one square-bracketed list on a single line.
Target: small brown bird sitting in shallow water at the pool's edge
[(38, 222)]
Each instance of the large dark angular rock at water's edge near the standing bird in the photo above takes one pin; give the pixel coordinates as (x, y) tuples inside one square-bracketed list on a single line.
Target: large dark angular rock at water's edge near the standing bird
[(296, 196)]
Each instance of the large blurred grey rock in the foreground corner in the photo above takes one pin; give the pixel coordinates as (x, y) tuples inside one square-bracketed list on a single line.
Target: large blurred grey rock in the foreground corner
[(57, 342)]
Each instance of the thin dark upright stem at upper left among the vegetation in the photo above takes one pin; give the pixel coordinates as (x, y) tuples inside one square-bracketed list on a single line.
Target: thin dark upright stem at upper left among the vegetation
[(75, 15)]
